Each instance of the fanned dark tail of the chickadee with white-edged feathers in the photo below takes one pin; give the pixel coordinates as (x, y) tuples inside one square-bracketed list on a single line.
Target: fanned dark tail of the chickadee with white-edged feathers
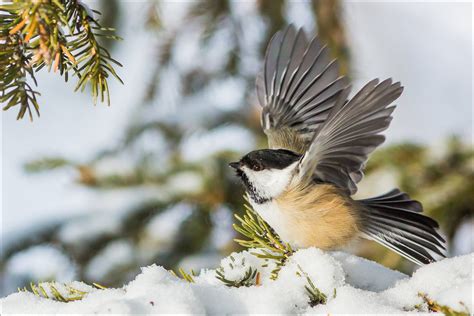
[(394, 220)]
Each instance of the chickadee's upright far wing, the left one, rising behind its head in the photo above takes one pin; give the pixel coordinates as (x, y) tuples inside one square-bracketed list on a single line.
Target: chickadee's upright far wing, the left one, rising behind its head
[(297, 89)]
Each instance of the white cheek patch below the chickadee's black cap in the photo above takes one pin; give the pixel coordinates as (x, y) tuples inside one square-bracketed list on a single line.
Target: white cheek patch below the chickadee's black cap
[(270, 183)]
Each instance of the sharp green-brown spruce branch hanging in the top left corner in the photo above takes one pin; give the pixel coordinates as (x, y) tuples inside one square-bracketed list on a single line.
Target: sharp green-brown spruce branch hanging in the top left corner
[(57, 34)]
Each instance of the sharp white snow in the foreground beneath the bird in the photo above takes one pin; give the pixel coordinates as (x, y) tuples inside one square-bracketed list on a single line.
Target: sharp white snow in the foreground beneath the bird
[(351, 284)]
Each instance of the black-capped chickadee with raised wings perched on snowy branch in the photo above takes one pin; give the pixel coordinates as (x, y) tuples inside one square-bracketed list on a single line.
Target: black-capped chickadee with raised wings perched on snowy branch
[(319, 141)]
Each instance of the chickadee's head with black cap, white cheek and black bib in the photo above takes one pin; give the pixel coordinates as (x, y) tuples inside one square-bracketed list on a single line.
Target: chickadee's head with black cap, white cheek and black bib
[(266, 172)]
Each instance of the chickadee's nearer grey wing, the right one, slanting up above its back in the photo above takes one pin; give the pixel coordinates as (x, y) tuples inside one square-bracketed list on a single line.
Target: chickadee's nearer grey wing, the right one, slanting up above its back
[(341, 145)]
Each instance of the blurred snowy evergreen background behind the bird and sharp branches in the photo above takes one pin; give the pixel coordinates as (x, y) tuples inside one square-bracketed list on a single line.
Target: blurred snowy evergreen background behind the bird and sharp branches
[(93, 193)]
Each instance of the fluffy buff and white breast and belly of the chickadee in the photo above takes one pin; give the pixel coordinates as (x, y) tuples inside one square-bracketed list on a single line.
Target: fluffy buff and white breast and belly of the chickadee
[(317, 216)]
